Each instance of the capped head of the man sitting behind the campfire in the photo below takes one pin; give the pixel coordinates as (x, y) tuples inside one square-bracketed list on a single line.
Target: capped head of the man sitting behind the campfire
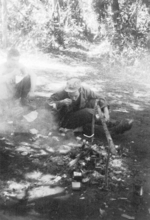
[(72, 88)]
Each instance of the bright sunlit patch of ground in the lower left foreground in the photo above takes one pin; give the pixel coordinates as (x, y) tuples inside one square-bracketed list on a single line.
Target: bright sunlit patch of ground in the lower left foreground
[(36, 185)]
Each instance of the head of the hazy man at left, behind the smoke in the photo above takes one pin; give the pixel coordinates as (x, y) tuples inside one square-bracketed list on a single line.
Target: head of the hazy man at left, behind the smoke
[(13, 56)]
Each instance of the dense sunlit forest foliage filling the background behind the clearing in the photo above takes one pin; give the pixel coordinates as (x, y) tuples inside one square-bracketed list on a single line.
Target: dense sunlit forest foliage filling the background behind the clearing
[(47, 24)]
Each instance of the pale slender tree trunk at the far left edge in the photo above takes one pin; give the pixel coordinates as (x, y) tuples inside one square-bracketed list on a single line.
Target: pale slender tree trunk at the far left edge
[(4, 23)]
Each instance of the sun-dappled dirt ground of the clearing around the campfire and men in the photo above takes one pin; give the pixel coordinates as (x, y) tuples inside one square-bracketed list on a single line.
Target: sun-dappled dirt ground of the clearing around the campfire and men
[(23, 160)]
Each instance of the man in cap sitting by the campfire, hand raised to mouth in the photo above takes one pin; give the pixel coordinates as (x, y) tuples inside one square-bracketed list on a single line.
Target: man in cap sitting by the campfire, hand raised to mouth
[(74, 108)]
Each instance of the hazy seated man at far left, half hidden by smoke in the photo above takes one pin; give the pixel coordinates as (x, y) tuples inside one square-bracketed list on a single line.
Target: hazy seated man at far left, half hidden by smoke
[(10, 89)]
